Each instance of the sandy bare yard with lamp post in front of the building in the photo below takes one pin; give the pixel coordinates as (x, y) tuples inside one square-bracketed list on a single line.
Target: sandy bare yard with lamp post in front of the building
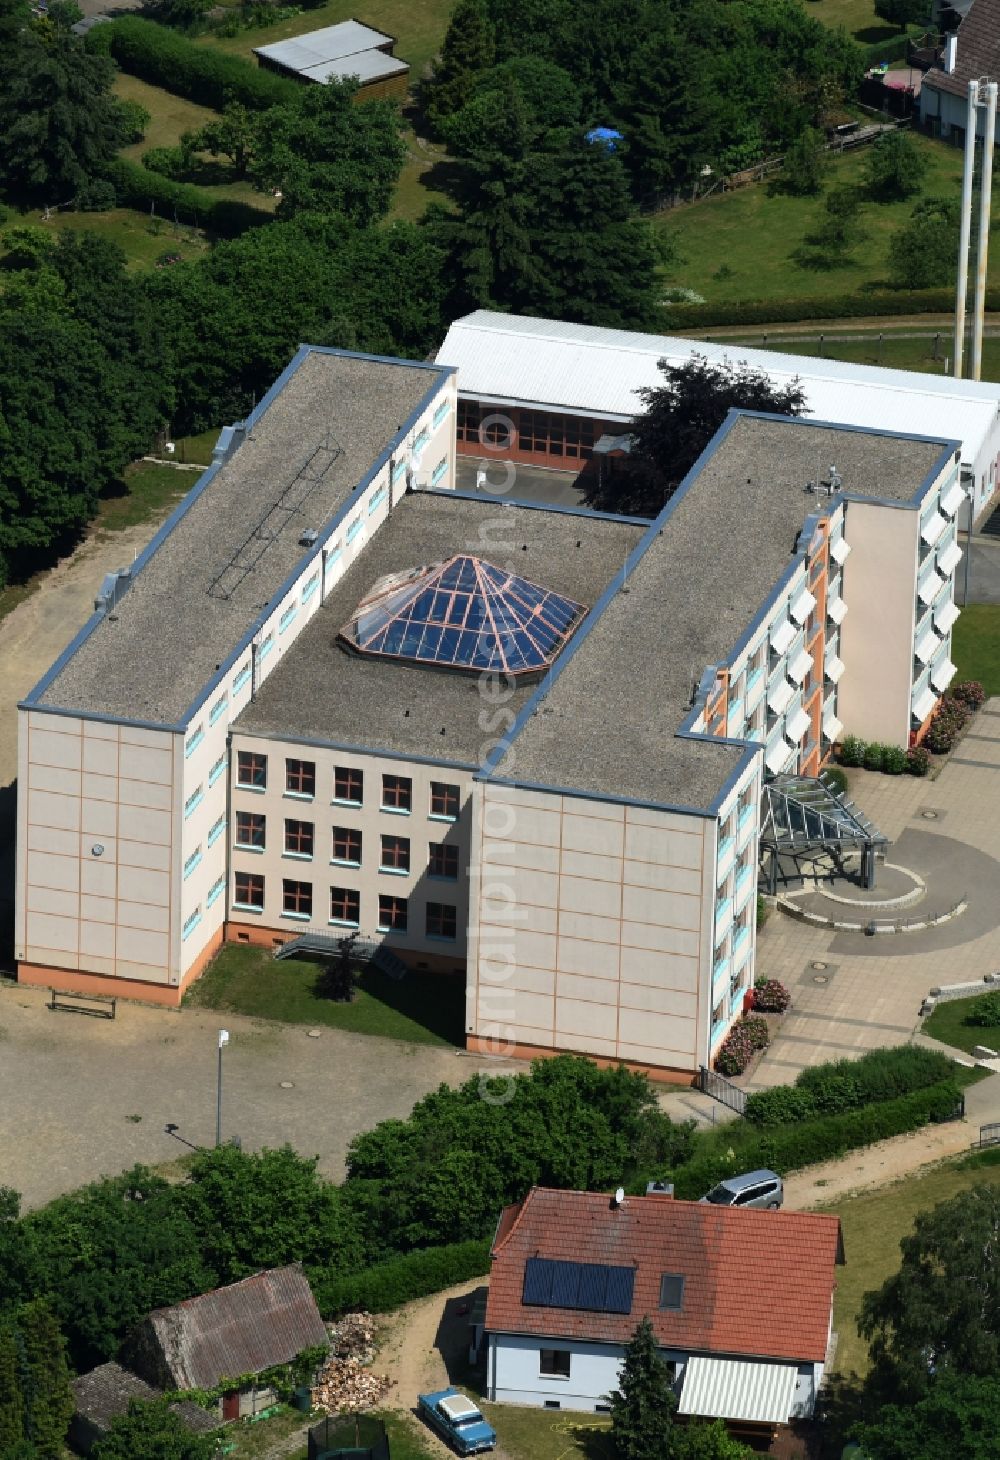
[(72, 1087)]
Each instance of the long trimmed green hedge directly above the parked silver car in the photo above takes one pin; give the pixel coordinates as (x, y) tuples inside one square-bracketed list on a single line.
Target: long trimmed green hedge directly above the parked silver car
[(791, 1148)]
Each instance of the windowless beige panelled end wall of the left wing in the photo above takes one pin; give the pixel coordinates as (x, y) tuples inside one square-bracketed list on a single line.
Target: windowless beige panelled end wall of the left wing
[(99, 849)]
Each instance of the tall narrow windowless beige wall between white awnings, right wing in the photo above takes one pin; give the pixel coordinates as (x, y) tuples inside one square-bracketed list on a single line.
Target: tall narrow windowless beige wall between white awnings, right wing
[(878, 633)]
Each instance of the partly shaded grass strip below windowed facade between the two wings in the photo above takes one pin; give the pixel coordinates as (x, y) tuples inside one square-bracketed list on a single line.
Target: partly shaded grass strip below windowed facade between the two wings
[(421, 1008)]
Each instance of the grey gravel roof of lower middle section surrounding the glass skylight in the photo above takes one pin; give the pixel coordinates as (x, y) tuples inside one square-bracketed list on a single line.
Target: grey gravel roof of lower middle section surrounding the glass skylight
[(322, 691)]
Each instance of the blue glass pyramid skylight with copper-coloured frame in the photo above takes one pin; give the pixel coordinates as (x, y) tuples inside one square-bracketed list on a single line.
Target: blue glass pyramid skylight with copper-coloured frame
[(464, 614)]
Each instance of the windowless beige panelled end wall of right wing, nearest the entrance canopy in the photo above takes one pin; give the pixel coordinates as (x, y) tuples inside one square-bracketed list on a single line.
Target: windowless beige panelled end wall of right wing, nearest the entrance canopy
[(592, 928)]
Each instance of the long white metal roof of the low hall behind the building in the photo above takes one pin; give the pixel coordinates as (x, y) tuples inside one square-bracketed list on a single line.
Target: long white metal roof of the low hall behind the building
[(516, 360)]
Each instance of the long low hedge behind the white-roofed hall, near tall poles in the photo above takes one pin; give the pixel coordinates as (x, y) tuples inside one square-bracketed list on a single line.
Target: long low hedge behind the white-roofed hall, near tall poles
[(828, 307)]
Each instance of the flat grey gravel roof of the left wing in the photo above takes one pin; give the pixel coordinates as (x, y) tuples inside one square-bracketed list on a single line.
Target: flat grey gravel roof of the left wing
[(170, 633)]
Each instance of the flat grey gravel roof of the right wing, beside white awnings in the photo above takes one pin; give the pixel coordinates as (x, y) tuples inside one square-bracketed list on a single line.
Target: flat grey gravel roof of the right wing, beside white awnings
[(609, 723)]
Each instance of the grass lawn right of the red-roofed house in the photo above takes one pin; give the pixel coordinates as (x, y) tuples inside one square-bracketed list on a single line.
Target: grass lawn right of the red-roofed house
[(874, 1226)]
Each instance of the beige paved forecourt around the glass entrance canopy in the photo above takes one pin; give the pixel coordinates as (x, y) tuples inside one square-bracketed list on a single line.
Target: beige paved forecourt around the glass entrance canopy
[(871, 991)]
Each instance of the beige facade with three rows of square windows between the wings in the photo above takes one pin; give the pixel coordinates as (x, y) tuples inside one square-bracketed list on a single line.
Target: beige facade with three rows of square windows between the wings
[(420, 827)]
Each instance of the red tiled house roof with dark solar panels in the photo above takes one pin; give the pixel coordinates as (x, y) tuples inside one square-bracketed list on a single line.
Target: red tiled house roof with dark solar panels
[(755, 1283)]
